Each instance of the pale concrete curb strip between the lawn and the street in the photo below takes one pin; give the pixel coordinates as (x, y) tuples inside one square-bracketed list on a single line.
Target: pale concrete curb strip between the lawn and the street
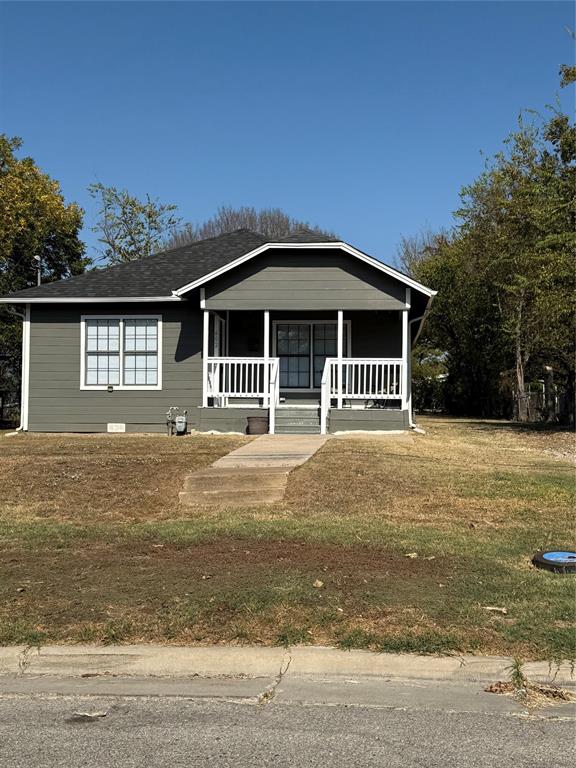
[(239, 661)]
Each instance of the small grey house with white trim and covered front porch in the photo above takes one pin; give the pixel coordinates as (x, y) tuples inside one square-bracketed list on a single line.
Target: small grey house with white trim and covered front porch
[(314, 335)]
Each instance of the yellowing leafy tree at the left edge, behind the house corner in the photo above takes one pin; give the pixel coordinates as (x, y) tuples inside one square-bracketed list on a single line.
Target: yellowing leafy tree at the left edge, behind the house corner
[(35, 221)]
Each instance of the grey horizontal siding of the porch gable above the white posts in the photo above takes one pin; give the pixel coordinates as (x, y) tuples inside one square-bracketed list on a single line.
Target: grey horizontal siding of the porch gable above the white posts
[(297, 280)]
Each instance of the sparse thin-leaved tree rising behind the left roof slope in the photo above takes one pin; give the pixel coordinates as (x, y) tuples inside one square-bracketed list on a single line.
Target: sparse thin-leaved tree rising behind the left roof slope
[(129, 228)]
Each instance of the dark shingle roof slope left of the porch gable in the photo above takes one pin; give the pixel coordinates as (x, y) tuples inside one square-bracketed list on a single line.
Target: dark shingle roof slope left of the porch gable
[(156, 275)]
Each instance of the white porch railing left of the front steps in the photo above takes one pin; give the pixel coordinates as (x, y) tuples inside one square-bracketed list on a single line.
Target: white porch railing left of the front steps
[(243, 377)]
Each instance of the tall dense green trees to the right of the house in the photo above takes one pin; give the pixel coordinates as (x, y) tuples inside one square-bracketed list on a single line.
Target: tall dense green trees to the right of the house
[(505, 276)]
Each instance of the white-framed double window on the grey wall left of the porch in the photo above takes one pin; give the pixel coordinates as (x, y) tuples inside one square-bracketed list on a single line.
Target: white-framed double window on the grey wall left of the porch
[(122, 352)]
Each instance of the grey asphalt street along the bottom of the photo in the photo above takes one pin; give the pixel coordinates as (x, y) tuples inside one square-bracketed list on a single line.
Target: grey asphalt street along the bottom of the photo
[(44, 730)]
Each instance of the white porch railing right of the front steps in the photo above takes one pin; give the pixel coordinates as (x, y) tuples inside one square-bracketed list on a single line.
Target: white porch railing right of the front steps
[(359, 379)]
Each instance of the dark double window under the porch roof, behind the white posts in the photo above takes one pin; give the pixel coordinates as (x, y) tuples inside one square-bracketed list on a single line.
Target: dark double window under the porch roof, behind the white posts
[(303, 348)]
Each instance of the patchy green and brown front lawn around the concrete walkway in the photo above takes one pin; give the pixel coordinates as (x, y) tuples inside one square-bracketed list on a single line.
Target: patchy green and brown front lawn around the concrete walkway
[(95, 548)]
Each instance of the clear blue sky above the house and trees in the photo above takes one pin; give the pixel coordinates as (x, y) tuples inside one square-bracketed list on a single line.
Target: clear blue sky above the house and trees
[(364, 118)]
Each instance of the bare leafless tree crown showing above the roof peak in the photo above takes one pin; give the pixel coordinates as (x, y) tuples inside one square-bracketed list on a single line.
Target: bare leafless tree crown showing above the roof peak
[(273, 223)]
